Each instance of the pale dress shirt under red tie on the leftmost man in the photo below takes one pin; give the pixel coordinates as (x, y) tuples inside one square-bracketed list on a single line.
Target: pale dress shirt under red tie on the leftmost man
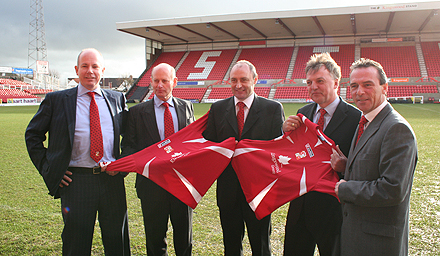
[(81, 141)]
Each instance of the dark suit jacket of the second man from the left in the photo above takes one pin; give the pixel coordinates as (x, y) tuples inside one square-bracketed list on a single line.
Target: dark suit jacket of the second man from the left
[(142, 132)]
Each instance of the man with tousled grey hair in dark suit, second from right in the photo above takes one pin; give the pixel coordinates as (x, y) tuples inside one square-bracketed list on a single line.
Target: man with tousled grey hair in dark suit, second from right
[(315, 218)]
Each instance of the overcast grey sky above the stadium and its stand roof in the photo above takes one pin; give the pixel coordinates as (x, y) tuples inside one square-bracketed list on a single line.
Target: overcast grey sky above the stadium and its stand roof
[(74, 25)]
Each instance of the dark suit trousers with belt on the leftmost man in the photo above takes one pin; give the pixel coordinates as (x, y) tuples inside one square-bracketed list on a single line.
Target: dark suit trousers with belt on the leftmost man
[(87, 195)]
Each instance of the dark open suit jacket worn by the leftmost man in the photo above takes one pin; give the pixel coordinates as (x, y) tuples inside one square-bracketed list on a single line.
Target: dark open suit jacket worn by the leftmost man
[(56, 115)]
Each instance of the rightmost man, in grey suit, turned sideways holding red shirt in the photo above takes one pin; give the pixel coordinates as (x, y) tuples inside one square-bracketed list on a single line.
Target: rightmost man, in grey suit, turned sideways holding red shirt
[(379, 171)]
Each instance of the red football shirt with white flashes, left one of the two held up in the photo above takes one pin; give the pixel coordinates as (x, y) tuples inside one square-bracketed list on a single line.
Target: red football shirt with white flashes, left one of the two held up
[(184, 164)]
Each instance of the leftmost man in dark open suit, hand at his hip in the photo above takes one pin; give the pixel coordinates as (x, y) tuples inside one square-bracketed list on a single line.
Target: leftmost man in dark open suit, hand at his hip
[(67, 166)]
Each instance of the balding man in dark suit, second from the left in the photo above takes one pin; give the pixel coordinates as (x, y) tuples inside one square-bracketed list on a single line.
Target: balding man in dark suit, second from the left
[(145, 128)]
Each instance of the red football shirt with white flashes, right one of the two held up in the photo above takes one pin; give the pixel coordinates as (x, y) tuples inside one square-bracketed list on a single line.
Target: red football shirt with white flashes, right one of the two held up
[(272, 173)]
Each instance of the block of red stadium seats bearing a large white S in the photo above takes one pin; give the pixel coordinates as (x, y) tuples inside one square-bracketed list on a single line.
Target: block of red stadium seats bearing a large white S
[(205, 65)]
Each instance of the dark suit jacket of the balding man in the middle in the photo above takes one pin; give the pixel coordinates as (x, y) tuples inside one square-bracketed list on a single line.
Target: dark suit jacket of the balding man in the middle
[(264, 122)]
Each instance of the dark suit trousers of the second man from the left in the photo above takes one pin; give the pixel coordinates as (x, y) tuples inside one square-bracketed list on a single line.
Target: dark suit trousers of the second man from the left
[(156, 214)]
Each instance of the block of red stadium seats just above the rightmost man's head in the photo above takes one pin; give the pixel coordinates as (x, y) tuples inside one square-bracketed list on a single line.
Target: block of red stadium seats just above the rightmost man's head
[(397, 61)]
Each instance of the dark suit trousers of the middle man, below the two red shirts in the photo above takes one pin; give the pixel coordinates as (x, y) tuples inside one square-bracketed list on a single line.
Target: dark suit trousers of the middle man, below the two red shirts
[(233, 218)]
